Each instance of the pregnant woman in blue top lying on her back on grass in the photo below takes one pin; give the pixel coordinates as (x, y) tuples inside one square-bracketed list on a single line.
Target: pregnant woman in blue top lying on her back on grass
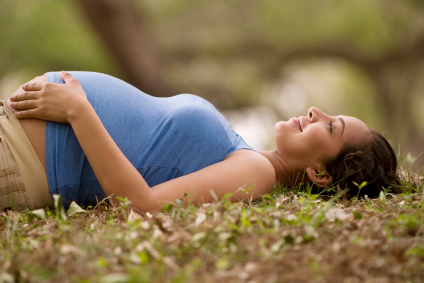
[(106, 138)]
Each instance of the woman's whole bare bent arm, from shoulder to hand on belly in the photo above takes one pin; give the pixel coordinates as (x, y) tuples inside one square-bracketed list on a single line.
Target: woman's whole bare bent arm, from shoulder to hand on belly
[(115, 173)]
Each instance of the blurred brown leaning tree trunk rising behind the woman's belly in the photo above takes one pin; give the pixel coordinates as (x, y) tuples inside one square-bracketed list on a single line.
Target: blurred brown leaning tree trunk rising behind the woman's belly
[(120, 24)]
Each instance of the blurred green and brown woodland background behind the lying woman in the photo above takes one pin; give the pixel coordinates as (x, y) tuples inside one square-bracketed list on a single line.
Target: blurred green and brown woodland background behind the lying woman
[(257, 61)]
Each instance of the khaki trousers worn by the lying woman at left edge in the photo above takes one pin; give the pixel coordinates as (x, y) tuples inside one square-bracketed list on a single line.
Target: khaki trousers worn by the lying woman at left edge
[(23, 182)]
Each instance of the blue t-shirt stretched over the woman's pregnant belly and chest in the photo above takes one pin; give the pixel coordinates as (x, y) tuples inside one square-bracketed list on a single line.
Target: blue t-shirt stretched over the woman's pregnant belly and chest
[(164, 138)]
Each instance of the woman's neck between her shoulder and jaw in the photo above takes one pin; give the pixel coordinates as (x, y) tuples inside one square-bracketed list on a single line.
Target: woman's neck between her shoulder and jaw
[(284, 175)]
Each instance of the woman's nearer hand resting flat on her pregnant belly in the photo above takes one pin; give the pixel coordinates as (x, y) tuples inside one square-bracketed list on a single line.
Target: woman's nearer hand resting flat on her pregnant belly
[(49, 101)]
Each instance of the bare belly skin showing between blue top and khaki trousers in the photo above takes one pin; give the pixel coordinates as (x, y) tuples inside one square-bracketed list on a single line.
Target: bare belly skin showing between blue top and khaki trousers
[(35, 129)]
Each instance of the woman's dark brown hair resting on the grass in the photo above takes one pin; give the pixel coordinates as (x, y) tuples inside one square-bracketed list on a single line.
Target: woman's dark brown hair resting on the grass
[(373, 161)]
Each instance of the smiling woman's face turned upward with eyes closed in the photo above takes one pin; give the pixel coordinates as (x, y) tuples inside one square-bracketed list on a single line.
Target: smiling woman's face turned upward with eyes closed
[(312, 140)]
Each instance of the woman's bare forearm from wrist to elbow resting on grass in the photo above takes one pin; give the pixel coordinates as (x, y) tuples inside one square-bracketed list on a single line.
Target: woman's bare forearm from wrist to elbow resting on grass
[(115, 173)]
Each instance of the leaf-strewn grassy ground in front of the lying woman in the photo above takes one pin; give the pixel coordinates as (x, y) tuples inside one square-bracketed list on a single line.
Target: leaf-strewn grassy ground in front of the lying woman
[(289, 236)]
